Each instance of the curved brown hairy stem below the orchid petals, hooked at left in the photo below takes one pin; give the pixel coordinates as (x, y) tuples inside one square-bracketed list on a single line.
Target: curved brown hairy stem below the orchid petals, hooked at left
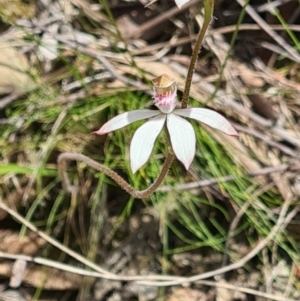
[(140, 194)]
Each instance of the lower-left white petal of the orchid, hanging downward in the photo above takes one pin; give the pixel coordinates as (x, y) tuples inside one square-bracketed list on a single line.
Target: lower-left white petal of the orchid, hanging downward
[(143, 141)]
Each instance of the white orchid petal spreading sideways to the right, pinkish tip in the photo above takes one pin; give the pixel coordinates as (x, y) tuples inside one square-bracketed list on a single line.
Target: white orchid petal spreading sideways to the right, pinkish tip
[(210, 118)]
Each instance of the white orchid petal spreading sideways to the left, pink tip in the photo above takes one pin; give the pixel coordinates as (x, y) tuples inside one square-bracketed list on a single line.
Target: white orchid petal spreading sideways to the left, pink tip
[(125, 119)]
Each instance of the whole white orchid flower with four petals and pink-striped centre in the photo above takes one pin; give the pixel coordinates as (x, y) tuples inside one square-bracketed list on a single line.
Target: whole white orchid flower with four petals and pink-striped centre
[(181, 132)]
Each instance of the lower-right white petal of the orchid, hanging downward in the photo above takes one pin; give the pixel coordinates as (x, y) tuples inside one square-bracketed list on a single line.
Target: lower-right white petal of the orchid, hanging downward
[(183, 139)]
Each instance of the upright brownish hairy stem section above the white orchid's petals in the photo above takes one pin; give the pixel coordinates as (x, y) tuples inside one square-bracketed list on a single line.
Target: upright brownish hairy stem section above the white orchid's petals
[(208, 11)]
